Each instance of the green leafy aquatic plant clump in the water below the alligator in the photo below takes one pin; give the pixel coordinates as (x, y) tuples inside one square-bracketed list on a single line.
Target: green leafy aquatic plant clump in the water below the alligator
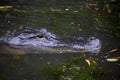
[(77, 68)]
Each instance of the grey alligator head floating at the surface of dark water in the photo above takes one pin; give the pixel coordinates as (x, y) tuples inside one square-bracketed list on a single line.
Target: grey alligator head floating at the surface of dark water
[(37, 40)]
